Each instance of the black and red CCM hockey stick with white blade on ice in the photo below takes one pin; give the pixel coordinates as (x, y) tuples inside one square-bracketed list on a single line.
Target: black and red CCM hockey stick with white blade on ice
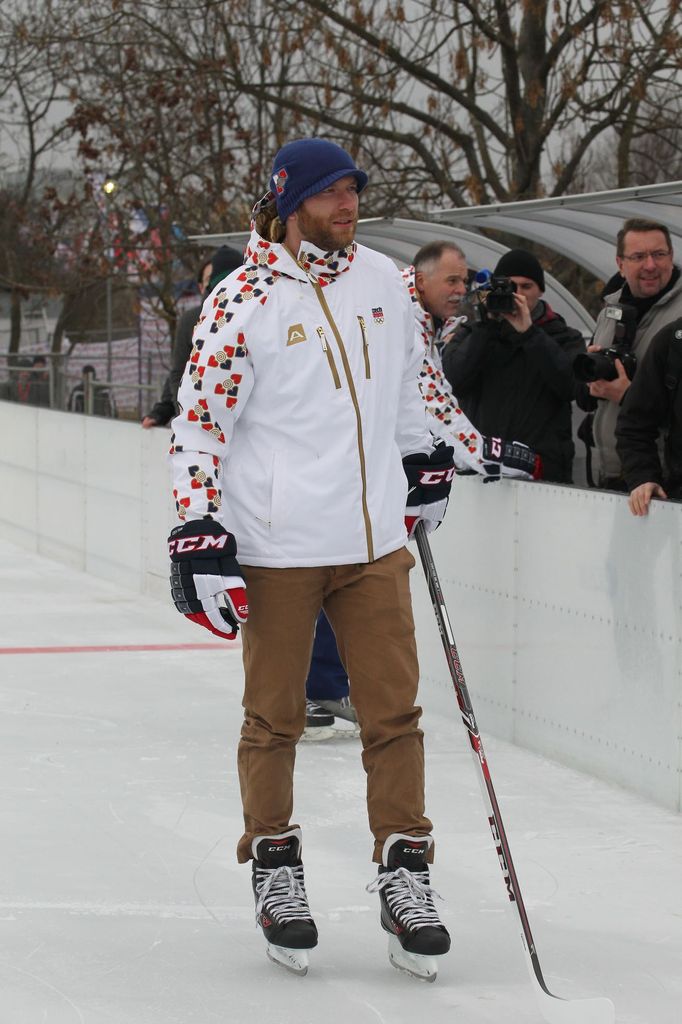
[(553, 1009)]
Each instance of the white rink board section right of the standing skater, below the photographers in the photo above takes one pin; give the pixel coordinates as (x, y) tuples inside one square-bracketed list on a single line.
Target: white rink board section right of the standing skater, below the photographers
[(579, 659)]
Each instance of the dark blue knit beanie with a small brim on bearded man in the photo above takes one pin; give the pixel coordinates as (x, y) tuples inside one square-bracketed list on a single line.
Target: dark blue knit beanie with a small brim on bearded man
[(306, 167)]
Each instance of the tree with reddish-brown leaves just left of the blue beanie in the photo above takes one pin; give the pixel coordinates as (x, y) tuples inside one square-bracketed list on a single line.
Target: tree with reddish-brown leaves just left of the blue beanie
[(181, 144)]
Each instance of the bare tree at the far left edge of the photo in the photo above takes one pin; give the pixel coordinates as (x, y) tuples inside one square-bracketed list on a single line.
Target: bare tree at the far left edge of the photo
[(41, 207)]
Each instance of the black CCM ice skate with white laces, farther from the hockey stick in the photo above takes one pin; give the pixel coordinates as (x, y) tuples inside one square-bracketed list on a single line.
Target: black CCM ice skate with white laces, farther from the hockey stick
[(282, 907)]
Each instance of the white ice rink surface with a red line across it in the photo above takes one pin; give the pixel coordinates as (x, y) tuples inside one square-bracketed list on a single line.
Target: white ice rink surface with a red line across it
[(121, 902)]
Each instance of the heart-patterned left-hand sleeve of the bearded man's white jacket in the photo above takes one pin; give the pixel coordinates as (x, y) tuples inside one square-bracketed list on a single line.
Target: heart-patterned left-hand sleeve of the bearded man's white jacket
[(217, 385)]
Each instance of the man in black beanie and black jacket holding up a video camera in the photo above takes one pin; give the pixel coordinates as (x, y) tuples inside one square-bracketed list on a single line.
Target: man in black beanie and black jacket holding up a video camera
[(513, 373)]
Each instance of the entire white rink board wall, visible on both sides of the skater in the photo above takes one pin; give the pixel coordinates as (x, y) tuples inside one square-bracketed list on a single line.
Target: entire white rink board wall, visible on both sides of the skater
[(566, 609)]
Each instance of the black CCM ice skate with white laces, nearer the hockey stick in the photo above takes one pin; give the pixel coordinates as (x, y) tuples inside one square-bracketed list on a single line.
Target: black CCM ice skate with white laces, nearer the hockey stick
[(408, 913)]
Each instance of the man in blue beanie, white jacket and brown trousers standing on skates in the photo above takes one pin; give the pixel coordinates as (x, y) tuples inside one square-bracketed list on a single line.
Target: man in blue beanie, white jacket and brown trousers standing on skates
[(304, 444)]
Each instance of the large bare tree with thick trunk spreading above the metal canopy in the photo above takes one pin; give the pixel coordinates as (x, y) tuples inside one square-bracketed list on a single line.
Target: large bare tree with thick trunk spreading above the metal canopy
[(447, 102)]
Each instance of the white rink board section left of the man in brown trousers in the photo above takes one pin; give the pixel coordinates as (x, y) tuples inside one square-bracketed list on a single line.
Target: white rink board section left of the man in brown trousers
[(89, 492)]
